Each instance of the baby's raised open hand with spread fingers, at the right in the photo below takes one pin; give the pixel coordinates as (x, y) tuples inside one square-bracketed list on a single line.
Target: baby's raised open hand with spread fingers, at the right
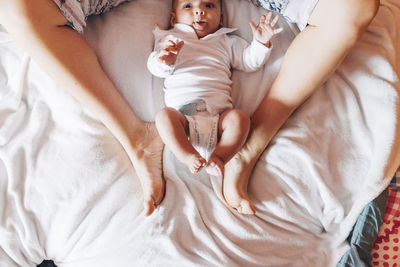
[(264, 31)]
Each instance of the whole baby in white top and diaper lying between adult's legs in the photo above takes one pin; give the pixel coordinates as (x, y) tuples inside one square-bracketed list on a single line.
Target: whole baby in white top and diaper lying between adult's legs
[(196, 57)]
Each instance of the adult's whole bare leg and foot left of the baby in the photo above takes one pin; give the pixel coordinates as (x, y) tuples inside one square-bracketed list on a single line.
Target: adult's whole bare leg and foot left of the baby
[(39, 28)]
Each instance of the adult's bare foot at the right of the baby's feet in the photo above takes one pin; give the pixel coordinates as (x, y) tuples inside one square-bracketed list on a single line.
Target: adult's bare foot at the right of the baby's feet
[(238, 171)]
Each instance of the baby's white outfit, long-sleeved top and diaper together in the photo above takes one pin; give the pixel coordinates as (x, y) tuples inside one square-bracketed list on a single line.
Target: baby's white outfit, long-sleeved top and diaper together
[(199, 82)]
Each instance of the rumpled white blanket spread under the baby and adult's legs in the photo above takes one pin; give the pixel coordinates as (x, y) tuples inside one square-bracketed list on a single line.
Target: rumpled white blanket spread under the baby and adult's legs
[(69, 193)]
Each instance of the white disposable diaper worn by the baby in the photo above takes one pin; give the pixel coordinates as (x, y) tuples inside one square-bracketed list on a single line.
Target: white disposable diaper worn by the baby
[(203, 127)]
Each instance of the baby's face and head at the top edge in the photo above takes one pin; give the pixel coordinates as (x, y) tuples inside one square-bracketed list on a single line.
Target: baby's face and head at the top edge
[(204, 16)]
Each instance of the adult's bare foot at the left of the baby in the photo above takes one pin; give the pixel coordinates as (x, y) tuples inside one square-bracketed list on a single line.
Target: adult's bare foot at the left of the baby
[(147, 161)]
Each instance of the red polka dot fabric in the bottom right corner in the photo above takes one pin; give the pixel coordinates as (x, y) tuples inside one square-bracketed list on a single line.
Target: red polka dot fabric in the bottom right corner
[(386, 251)]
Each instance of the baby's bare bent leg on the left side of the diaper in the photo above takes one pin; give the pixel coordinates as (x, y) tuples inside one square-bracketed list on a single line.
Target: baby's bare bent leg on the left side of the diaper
[(172, 127)]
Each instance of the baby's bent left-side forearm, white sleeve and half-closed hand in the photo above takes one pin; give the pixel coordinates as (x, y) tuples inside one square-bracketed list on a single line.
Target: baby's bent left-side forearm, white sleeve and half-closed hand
[(161, 62)]
